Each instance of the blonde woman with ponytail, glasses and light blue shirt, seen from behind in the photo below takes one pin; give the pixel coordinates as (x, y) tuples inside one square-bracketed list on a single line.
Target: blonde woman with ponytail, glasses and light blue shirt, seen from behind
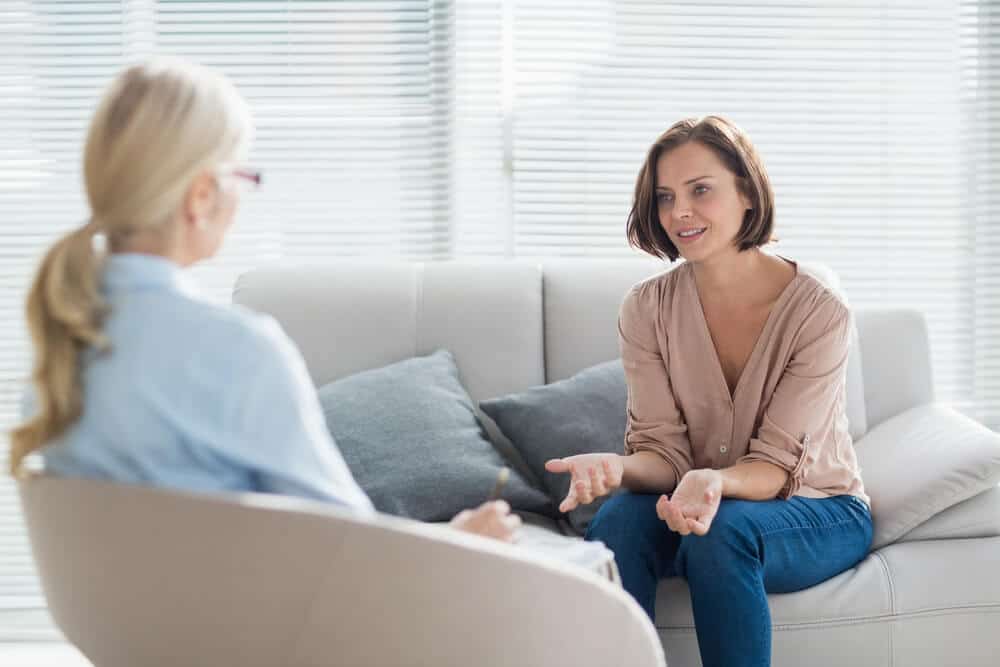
[(139, 379)]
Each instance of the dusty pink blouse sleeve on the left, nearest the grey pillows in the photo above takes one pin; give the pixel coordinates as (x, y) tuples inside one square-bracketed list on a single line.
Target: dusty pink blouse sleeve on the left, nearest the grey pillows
[(654, 423)]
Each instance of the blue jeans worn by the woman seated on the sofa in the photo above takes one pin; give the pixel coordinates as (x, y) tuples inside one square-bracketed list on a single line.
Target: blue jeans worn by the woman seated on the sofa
[(752, 548)]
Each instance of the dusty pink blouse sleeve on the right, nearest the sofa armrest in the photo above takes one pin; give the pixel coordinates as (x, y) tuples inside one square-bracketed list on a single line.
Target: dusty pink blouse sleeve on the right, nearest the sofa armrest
[(800, 415)]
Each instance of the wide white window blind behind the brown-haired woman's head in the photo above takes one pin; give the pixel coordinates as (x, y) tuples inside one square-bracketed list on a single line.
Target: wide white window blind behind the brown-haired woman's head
[(854, 106)]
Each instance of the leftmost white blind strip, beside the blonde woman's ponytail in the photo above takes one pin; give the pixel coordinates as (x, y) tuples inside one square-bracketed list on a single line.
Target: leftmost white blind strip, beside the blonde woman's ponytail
[(55, 59)]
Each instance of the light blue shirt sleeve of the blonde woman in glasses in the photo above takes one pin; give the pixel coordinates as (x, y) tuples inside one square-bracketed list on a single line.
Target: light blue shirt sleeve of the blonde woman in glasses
[(281, 433)]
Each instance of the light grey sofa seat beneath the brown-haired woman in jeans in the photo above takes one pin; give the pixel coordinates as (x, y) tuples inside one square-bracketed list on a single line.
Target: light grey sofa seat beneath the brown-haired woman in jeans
[(919, 604)]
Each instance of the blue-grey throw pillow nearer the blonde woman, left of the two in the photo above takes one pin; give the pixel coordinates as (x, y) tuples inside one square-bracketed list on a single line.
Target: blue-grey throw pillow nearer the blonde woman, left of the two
[(410, 436)]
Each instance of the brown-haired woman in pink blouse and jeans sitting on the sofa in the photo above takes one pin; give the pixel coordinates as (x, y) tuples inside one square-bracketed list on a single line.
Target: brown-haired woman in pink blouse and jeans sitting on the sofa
[(740, 471)]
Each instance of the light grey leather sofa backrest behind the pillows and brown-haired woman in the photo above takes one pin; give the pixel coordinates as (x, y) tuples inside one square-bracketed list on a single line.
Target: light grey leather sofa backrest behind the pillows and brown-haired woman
[(513, 325)]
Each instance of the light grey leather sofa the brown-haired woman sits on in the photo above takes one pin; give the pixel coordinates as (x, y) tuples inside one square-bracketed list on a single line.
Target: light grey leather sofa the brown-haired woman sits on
[(930, 598)]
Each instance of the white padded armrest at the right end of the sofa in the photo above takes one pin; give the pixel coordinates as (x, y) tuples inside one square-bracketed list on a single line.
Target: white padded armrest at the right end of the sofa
[(922, 462)]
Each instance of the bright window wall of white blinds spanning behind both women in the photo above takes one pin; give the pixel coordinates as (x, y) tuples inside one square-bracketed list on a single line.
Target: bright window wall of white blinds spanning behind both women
[(437, 129)]
